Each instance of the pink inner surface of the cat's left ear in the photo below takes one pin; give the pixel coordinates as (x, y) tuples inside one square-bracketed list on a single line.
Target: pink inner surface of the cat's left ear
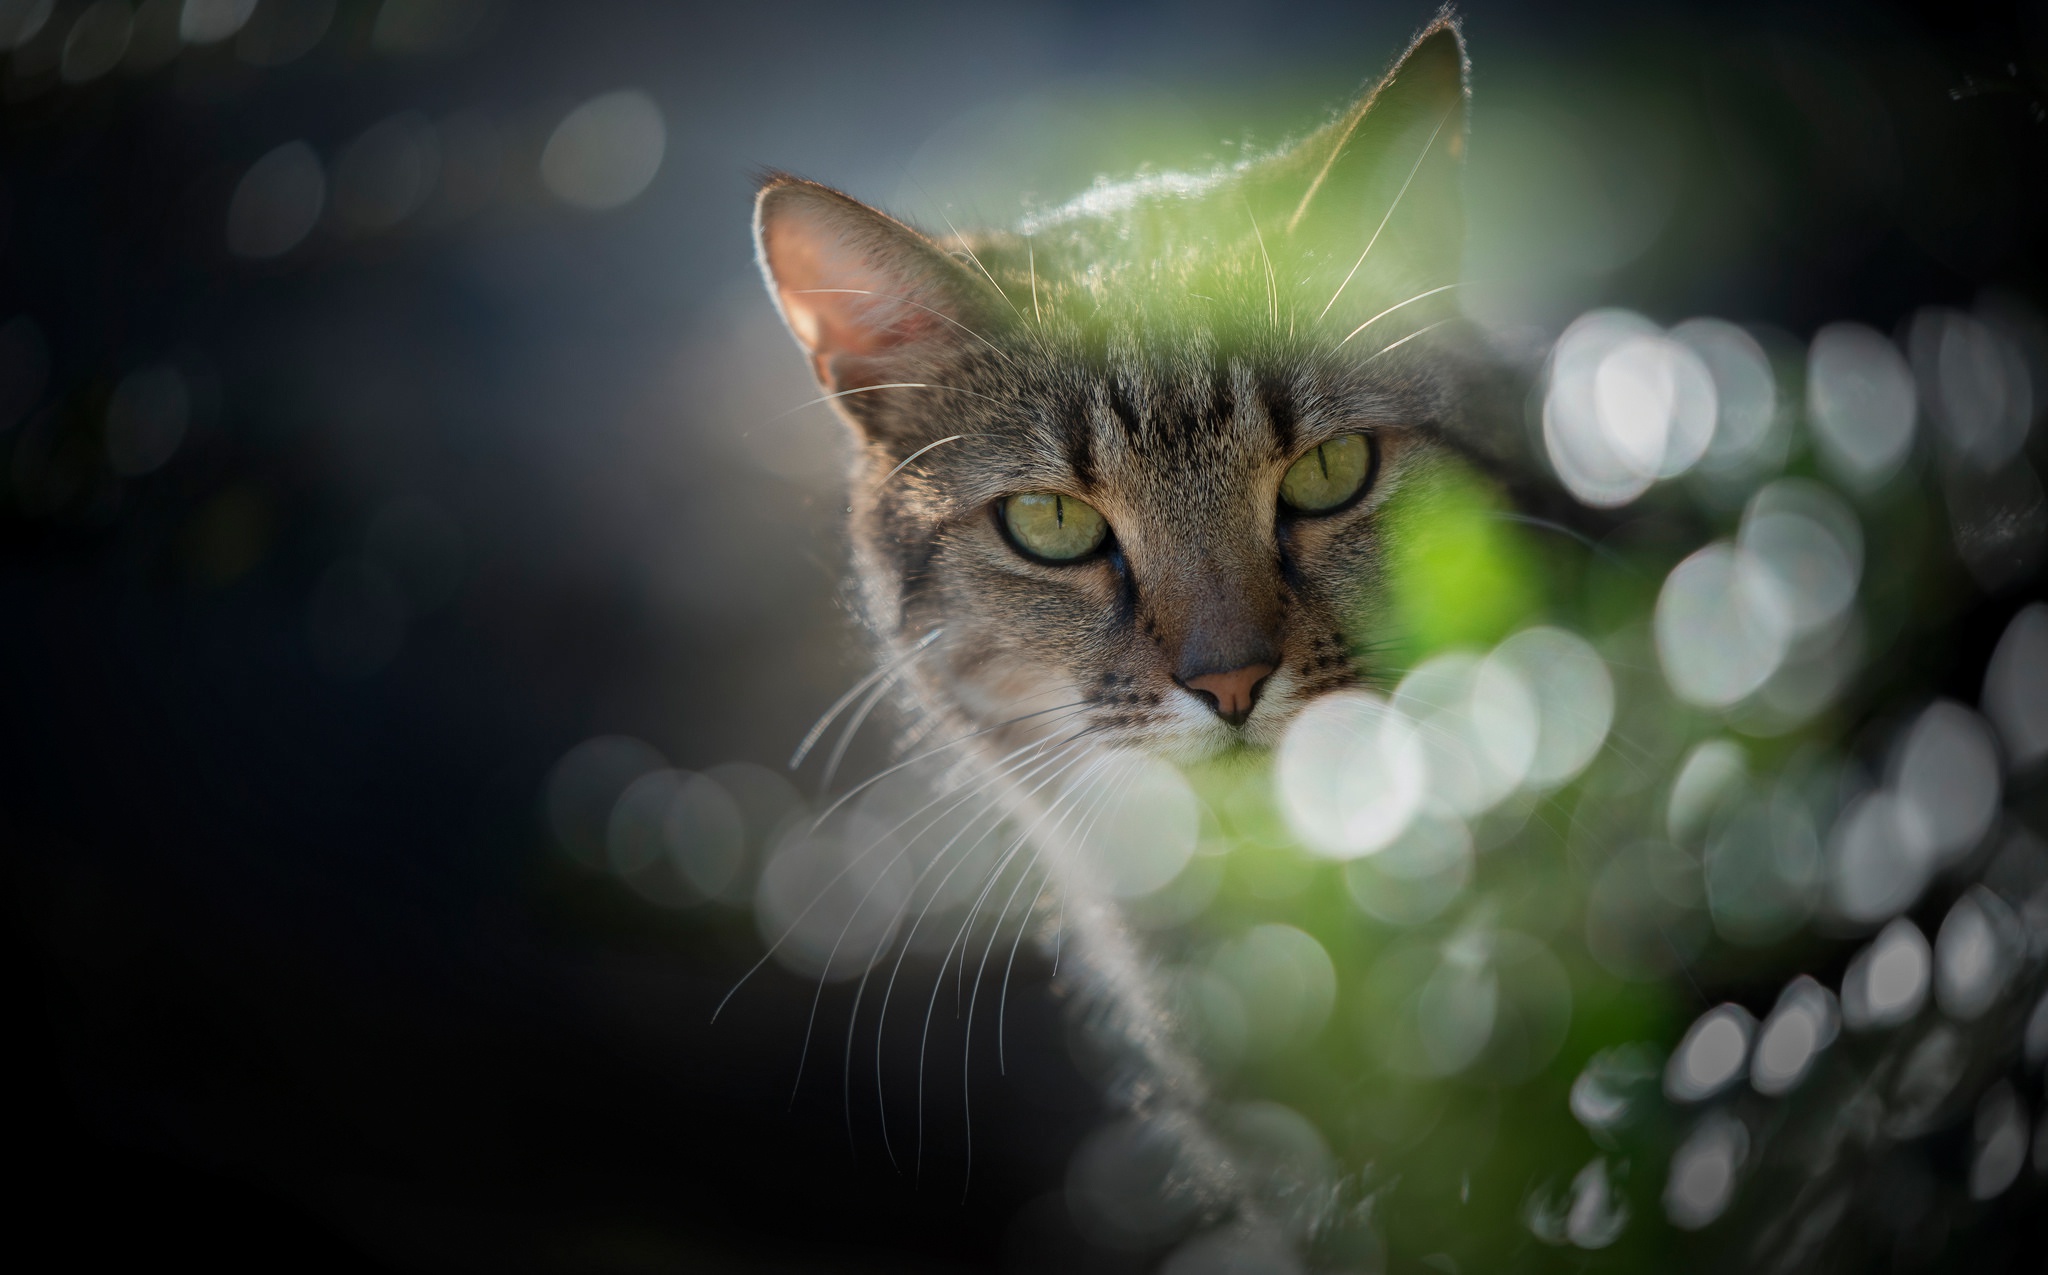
[(841, 306)]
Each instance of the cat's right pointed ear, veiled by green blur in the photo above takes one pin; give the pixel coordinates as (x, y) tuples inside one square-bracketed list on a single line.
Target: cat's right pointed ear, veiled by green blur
[(1373, 206)]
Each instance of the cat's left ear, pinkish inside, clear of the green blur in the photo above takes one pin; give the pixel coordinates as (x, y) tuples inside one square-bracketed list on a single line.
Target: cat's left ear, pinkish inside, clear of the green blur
[(867, 298)]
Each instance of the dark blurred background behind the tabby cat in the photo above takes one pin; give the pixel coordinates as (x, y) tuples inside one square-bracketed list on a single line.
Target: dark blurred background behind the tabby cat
[(388, 406)]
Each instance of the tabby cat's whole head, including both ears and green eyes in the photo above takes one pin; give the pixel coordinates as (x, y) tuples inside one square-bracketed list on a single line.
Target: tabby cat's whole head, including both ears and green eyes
[(1127, 468)]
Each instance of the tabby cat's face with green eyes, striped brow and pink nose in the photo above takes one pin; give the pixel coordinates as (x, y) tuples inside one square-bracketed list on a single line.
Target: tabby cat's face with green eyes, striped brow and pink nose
[(1172, 588)]
